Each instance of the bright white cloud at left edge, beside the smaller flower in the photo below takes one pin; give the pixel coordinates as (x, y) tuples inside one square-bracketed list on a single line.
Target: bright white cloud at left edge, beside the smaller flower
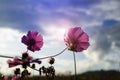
[(9, 46)]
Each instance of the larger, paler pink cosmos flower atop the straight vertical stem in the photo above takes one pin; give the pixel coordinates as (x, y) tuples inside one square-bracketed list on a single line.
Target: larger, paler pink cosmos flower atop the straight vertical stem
[(76, 39)]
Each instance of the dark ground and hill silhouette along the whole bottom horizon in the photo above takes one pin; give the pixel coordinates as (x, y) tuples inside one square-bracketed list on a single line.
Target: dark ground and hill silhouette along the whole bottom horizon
[(91, 75)]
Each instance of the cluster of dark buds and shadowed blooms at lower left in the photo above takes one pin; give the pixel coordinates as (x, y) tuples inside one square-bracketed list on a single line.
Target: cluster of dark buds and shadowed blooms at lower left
[(18, 75)]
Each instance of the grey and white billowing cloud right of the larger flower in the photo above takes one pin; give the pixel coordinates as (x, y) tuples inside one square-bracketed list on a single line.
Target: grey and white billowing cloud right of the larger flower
[(104, 49)]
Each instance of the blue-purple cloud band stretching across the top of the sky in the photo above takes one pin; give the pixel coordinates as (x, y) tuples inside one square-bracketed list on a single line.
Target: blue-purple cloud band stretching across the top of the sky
[(30, 14)]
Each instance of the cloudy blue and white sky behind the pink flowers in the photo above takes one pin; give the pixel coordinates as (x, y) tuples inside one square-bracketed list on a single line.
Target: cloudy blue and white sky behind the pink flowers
[(100, 19)]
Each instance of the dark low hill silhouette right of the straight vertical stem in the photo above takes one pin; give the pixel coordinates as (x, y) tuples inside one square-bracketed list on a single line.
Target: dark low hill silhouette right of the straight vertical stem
[(100, 75)]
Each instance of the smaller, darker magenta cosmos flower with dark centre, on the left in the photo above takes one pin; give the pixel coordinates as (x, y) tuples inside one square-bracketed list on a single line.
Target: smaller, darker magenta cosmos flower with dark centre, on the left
[(33, 40)]
